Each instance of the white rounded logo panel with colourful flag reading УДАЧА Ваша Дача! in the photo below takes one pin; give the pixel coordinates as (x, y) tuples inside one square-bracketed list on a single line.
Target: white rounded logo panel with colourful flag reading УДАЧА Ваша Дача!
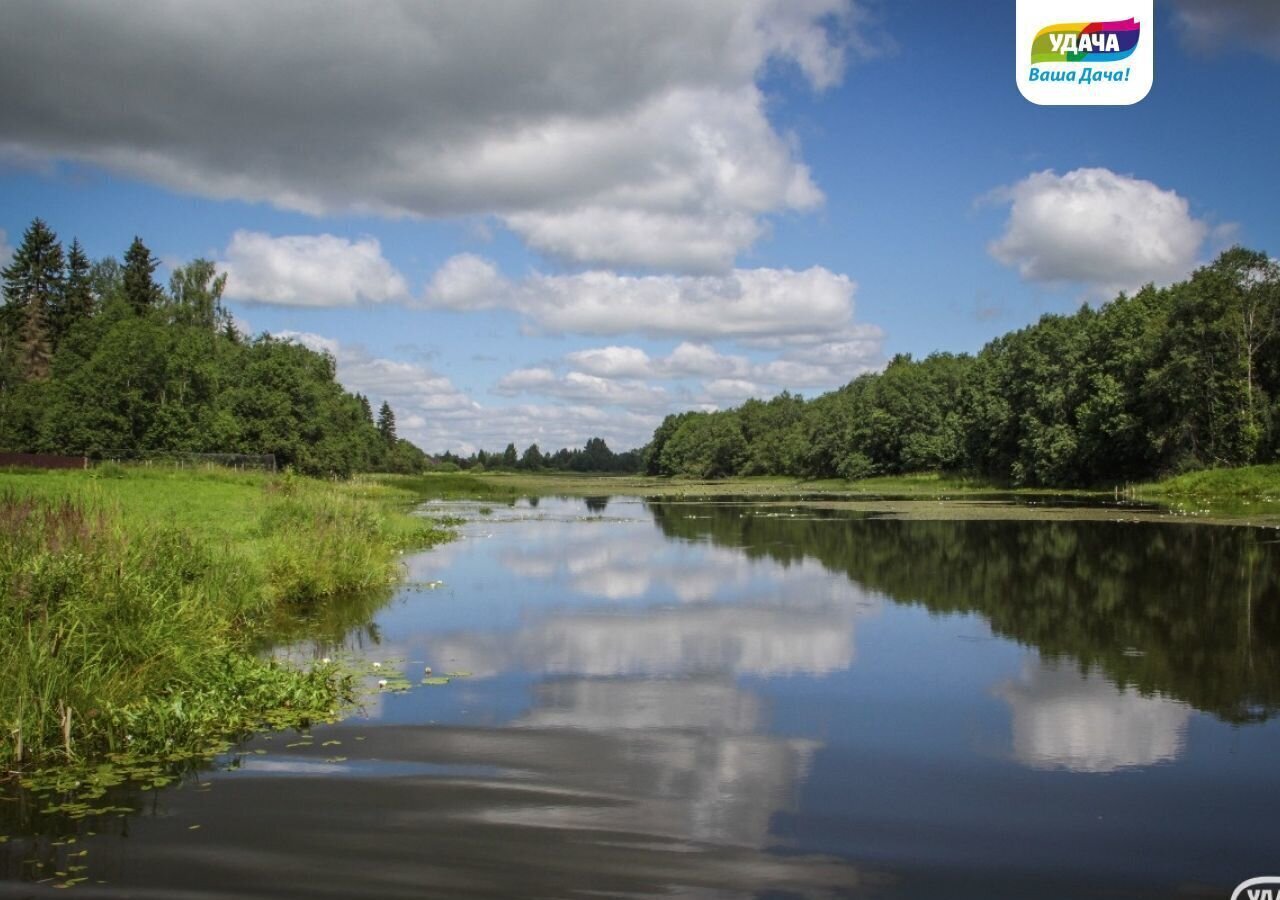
[(1085, 53)]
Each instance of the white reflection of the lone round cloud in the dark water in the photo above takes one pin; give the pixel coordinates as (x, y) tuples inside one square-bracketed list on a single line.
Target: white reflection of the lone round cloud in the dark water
[(1082, 723)]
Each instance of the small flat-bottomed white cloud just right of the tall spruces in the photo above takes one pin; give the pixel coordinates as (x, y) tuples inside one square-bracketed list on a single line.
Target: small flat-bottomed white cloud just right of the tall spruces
[(309, 271)]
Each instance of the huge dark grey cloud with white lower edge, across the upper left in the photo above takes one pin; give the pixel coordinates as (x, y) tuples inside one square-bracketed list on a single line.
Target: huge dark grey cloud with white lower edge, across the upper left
[(625, 134)]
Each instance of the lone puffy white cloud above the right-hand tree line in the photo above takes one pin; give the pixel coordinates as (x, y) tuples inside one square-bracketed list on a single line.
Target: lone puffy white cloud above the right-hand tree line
[(1099, 229)]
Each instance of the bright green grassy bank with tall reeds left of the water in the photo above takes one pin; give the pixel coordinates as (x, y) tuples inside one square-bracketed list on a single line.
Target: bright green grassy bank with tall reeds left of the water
[(131, 602)]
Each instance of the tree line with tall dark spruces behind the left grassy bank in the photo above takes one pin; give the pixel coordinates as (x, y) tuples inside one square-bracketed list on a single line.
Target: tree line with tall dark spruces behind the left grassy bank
[(97, 358)]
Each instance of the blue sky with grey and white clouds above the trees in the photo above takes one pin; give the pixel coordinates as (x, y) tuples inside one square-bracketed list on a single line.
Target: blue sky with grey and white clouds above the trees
[(546, 222)]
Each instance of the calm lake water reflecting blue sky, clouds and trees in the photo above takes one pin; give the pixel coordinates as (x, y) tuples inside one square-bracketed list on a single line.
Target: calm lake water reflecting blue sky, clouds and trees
[(723, 700)]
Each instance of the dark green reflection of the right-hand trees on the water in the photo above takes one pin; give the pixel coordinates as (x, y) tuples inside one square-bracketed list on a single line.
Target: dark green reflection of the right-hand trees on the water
[(1176, 610)]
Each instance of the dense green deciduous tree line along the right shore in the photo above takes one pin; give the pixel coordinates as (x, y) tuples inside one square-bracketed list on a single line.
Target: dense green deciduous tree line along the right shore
[(1165, 381)]
